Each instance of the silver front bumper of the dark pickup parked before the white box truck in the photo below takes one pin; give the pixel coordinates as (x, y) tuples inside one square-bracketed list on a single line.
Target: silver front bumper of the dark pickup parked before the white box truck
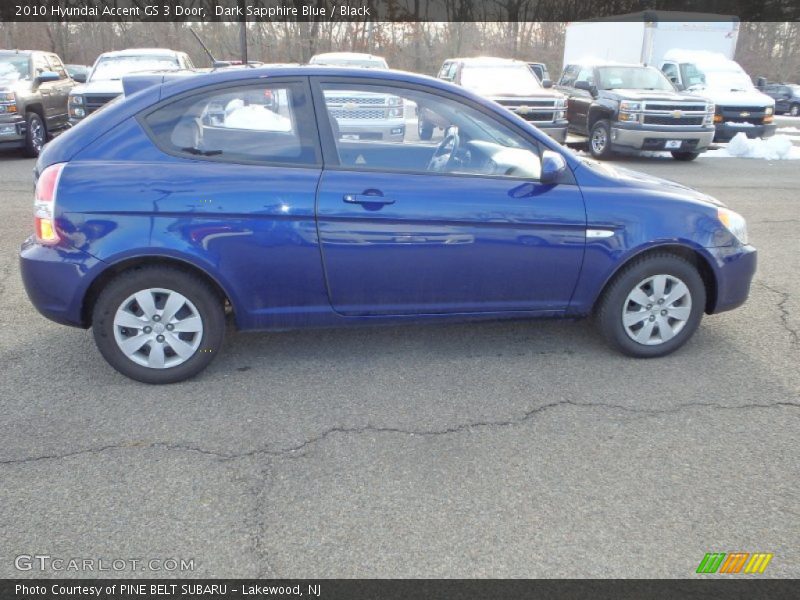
[(636, 138)]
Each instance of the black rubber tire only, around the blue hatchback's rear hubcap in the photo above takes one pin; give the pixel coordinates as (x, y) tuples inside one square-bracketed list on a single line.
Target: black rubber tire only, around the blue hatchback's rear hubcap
[(200, 293)]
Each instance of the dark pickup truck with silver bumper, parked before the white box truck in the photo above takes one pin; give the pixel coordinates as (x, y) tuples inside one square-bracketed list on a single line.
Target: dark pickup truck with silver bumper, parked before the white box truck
[(630, 108)]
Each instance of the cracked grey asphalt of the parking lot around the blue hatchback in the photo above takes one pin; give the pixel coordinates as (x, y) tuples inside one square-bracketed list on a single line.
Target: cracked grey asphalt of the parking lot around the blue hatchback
[(513, 449)]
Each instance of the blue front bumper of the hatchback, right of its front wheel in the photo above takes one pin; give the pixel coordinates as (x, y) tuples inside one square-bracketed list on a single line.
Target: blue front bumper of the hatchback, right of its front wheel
[(734, 269)]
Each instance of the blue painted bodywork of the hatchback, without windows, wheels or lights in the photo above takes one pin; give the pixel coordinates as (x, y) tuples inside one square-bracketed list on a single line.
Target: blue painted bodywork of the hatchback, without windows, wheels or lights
[(288, 252)]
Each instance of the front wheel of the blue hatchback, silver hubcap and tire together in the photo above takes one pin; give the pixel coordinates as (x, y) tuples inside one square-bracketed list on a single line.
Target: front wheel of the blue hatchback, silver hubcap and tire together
[(653, 306)]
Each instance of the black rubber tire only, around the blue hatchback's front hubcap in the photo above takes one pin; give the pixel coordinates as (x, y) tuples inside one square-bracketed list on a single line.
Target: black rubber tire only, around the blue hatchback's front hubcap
[(612, 304)]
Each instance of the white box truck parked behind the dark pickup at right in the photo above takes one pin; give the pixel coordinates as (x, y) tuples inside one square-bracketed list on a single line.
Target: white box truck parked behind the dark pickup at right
[(695, 51)]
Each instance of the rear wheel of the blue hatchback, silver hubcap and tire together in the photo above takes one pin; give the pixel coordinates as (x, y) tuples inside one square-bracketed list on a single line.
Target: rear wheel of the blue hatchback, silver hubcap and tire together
[(158, 324)]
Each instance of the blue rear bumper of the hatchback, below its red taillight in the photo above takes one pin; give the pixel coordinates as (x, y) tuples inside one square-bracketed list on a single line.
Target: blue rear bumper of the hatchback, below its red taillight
[(56, 280)]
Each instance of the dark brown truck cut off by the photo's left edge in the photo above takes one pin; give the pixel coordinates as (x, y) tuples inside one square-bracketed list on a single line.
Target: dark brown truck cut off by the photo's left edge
[(34, 88)]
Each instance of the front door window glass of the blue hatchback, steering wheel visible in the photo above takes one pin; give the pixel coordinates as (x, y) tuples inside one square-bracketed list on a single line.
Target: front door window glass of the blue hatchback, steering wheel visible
[(389, 128)]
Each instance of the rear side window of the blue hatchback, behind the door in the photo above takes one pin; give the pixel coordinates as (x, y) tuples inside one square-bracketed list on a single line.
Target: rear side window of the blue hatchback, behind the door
[(264, 123)]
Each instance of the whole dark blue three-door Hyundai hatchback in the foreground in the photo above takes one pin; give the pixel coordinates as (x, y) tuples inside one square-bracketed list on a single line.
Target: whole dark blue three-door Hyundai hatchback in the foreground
[(235, 192)]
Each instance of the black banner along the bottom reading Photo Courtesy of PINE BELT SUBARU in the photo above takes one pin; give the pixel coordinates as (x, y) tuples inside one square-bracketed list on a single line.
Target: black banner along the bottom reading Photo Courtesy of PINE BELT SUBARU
[(383, 589)]
